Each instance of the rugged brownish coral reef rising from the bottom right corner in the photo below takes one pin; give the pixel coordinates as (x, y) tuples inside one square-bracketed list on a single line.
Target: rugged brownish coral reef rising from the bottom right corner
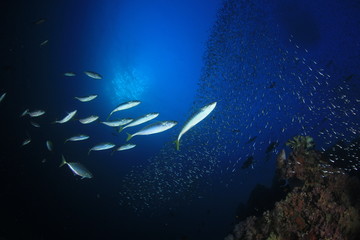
[(325, 206)]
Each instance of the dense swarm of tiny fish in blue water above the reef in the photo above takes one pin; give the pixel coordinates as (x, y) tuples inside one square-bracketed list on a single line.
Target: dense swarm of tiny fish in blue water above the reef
[(269, 91)]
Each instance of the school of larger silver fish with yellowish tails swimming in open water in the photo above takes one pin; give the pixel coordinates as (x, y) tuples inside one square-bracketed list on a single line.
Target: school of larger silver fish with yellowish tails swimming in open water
[(120, 124)]
